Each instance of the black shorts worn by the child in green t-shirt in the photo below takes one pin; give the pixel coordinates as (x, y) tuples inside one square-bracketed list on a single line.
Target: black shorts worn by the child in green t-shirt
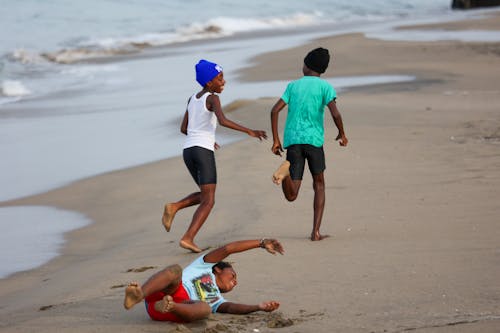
[(298, 154)]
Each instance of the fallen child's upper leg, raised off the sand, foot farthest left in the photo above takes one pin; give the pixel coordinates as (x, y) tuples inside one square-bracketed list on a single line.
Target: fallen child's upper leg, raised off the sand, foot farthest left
[(167, 280)]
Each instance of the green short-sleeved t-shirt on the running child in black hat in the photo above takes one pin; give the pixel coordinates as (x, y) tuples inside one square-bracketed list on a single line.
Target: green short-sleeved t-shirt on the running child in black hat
[(306, 99)]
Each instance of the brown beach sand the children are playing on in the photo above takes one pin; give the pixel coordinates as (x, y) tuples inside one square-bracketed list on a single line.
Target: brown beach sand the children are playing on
[(412, 207)]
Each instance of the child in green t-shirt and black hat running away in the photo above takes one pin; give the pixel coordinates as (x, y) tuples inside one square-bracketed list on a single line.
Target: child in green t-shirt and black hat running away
[(304, 132)]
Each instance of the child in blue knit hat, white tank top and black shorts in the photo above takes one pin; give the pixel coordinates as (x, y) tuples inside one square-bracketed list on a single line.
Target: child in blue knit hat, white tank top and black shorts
[(199, 125)]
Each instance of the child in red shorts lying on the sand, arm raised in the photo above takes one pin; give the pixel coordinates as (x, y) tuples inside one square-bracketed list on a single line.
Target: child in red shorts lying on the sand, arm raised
[(177, 295)]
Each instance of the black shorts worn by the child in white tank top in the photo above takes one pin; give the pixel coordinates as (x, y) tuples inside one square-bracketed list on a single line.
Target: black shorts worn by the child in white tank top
[(201, 165)]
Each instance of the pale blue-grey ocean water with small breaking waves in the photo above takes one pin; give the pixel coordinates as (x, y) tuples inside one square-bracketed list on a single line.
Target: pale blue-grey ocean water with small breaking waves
[(88, 87)]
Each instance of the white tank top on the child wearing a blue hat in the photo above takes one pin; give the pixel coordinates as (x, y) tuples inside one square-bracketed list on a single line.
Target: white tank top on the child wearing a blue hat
[(201, 123)]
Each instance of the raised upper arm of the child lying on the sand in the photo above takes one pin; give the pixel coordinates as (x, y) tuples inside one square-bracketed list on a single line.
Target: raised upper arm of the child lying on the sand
[(271, 245)]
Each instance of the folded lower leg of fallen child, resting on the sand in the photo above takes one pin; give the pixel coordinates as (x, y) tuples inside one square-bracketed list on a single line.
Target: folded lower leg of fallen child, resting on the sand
[(189, 311)]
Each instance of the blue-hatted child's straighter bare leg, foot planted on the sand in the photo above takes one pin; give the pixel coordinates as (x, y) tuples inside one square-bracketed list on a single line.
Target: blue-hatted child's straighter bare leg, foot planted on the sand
[(207, 201)]
